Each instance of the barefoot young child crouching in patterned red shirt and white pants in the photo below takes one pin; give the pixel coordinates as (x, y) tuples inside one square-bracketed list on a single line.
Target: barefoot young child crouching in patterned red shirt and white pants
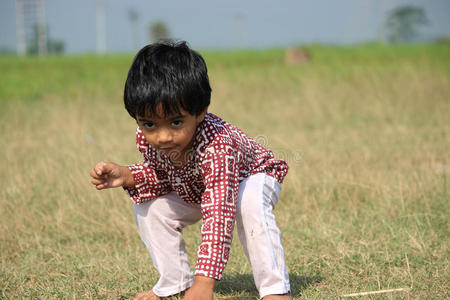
[(196, 166)]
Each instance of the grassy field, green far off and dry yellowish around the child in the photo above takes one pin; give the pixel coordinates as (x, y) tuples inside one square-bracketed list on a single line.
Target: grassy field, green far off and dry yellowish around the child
[(365, 206)]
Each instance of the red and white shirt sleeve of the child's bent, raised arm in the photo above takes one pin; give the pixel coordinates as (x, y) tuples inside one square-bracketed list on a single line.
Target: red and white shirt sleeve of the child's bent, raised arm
[(149, 183)]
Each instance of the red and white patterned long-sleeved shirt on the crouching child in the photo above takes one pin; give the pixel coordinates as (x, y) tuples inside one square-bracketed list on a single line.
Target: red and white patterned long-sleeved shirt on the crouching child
[(222, 157)]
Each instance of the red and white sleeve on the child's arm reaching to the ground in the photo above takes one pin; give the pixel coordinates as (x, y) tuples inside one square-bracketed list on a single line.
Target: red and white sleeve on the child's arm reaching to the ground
[(220, 174)]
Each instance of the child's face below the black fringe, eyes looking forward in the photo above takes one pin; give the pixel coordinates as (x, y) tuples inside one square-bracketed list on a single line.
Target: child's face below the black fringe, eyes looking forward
[(172, 135)]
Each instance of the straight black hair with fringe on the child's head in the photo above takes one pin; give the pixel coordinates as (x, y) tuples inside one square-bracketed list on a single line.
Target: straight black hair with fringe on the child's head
[(169, 74)]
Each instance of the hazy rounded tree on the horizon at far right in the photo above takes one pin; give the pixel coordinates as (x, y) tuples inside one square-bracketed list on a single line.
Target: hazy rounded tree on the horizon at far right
[(402, 23)]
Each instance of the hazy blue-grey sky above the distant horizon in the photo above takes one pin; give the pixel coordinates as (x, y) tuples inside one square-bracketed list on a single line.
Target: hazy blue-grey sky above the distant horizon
[(223, 24)]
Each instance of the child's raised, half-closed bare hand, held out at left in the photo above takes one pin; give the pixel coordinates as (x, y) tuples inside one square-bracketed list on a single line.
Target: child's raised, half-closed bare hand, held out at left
[(110, 175)]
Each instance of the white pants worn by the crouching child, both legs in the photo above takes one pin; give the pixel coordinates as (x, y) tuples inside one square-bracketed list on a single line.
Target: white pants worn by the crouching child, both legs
[(161, 220)]
